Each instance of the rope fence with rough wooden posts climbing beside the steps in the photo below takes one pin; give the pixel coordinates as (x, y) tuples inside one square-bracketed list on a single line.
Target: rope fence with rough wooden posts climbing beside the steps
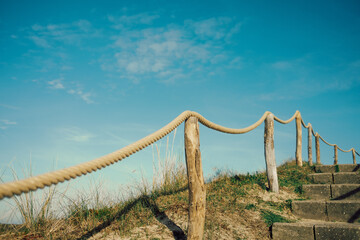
[(197, 194)]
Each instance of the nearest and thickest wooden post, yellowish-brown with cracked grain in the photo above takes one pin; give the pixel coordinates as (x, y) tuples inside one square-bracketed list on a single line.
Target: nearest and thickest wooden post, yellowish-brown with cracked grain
[(197, 191)]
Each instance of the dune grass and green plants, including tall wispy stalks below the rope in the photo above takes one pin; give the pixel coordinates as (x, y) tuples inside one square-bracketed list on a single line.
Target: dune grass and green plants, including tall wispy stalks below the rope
[(239, 206)]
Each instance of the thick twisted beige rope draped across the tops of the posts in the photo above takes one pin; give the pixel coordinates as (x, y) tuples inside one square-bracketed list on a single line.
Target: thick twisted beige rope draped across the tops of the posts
[(33, 183)]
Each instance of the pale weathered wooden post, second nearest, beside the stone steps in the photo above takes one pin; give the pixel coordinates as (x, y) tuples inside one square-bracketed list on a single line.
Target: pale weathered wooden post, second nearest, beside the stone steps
[(270, 154)]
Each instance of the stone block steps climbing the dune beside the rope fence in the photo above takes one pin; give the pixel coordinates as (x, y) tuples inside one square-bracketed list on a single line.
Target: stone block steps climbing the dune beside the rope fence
[(333, 211)]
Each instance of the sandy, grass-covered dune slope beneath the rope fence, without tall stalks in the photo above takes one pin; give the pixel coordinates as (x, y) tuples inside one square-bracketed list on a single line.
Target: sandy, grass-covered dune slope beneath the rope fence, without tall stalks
[(238, 207)]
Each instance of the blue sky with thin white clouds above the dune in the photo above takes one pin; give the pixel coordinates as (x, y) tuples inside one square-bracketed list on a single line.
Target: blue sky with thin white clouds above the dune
[(81, 79)]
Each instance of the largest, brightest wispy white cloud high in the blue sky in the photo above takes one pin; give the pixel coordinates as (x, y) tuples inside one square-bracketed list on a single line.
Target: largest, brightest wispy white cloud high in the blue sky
[(171, 52)]
